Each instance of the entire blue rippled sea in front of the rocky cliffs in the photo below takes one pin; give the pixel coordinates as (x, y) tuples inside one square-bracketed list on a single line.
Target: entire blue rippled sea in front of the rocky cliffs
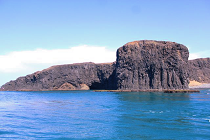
[(104, 115)]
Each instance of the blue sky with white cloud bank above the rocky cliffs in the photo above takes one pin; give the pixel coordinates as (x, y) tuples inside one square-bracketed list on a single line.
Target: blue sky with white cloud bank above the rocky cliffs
[(36, 34)]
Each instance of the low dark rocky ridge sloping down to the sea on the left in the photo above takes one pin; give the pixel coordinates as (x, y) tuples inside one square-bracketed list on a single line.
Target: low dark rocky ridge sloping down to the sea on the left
[(81, 76)]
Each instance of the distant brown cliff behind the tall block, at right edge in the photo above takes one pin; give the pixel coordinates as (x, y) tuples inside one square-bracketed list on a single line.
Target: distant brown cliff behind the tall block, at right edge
[(199, 70)]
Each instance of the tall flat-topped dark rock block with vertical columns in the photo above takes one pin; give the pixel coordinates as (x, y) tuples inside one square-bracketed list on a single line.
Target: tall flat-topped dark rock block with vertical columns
[(152, 65)]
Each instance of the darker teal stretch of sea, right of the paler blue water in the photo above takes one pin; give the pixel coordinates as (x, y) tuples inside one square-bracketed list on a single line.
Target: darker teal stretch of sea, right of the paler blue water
[(161, 115)]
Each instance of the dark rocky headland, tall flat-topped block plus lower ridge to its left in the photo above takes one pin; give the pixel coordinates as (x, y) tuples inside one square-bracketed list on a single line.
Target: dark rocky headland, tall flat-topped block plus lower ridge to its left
[(144, 64)]
